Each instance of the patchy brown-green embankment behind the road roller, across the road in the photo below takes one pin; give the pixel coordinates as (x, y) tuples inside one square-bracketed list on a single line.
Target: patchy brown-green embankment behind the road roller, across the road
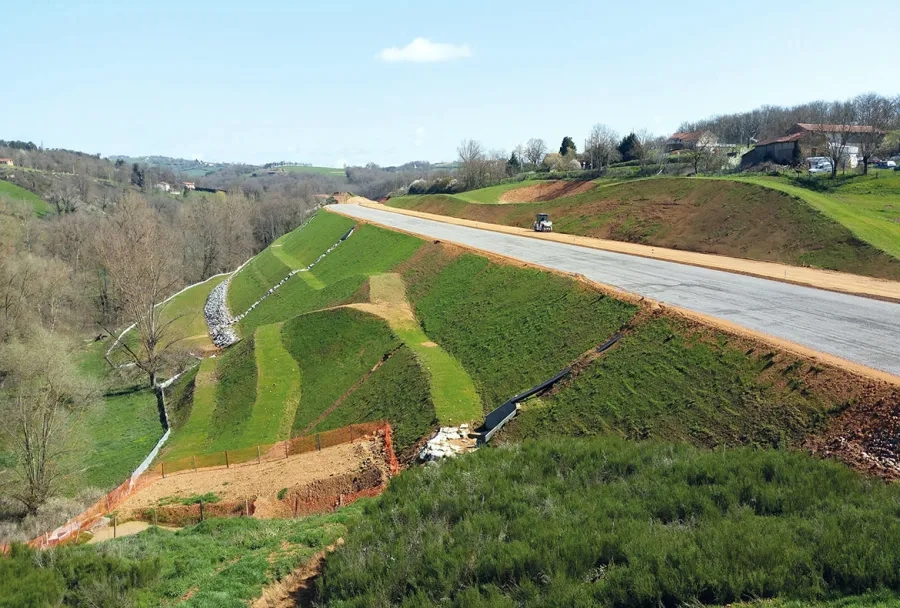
[(710, 216)]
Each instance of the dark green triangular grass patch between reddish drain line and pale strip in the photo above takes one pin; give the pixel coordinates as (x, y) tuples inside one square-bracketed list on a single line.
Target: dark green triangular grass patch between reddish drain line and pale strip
[(397, 392)]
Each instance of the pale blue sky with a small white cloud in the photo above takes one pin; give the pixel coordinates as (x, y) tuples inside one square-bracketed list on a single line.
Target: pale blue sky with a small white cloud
[(332, 82)]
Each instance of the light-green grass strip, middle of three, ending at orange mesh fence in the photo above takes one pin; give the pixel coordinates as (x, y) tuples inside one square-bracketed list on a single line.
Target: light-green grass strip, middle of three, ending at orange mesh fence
[(277, 389)]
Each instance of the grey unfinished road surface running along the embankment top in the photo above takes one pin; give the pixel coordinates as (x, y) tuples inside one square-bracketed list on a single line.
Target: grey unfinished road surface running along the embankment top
[(861, 330)]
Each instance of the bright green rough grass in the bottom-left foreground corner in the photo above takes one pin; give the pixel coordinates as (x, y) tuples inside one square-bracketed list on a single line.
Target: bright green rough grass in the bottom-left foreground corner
[(221, 562)]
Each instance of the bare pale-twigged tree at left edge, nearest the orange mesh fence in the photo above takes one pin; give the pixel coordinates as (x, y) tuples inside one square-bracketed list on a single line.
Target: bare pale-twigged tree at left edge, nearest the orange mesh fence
[(42, 392)]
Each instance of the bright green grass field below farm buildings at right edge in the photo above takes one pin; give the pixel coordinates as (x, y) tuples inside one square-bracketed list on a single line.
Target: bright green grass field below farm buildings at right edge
[(866, 205)]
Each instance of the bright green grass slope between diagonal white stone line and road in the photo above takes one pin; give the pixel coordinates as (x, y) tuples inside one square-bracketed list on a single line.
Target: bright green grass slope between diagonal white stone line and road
[(369, 251)]
